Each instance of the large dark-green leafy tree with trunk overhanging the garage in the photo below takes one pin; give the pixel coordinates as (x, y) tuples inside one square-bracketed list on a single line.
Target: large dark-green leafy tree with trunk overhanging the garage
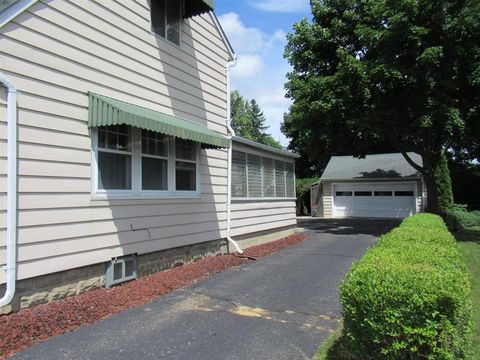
[(398, 73)]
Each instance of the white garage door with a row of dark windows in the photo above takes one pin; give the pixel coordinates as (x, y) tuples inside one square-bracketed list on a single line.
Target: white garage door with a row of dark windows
[(374, 200)]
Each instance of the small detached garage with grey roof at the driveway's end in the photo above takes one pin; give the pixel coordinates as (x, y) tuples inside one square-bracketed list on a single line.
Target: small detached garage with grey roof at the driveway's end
[(376, 186)]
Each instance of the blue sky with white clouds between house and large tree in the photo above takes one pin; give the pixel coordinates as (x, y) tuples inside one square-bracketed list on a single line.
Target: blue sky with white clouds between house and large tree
[(257, 31)]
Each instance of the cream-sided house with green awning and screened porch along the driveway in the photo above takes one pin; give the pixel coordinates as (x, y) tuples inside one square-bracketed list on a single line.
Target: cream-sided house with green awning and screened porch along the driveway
[(115, 146)]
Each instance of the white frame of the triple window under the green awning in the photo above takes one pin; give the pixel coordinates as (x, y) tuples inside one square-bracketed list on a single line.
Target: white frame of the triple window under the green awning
[(136, 175)]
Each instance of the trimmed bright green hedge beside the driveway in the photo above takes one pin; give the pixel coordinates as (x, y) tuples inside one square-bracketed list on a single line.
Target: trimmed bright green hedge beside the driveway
[(409, 297)]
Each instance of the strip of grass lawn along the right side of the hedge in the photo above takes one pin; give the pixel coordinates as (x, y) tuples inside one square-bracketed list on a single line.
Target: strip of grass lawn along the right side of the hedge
[(470, 243)]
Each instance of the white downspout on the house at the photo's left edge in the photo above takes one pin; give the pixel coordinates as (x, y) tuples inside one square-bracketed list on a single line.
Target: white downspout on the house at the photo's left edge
[(11, 263)]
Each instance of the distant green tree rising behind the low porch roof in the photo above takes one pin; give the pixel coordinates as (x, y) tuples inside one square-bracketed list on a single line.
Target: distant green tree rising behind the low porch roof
[(248, 120)]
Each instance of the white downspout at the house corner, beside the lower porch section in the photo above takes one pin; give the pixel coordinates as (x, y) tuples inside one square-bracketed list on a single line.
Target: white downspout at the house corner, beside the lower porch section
[(229, 166)]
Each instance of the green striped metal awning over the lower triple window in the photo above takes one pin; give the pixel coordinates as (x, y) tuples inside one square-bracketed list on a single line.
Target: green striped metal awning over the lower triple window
[(105, 111)]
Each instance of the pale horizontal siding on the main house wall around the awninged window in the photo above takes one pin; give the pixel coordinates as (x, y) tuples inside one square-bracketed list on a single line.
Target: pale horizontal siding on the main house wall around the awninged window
[(54, 53)]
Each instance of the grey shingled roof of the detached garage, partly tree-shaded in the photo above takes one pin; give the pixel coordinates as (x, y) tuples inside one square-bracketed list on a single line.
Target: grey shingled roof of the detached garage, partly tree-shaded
[(378, 166)]
